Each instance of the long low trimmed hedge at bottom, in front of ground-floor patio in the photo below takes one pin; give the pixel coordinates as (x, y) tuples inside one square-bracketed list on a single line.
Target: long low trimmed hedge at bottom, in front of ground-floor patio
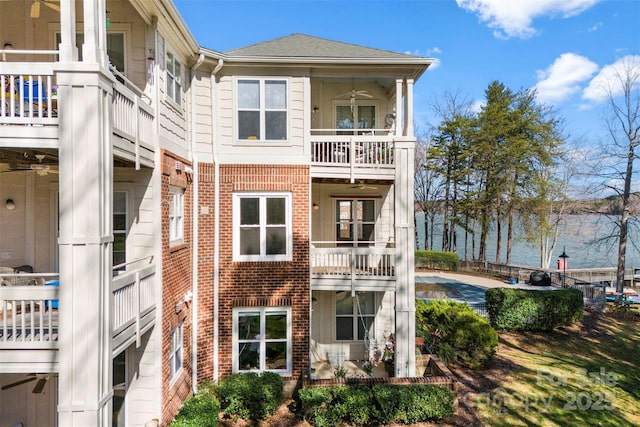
[(376, 405)]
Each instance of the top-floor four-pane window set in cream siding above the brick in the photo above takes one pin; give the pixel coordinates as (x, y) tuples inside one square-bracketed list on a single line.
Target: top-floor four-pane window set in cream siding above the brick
[(262, 109)]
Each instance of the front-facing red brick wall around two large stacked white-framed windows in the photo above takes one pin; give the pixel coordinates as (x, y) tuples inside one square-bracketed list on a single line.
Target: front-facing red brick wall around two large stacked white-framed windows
[(265, 283)]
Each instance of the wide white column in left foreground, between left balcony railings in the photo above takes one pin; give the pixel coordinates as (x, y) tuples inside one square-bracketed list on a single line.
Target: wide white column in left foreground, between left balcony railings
[(85, 244)]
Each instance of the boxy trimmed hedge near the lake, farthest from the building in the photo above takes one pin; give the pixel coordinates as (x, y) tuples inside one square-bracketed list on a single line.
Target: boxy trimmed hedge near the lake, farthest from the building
[(533, 310)]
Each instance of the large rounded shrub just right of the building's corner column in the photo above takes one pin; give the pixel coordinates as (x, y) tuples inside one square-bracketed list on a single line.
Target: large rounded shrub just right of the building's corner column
[(455, 333)]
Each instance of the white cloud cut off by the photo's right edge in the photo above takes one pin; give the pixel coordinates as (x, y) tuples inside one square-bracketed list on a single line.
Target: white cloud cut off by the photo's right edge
[(609, 81)]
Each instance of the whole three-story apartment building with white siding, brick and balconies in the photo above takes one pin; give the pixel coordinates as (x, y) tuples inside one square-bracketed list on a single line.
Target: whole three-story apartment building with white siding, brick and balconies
[(170, 213)]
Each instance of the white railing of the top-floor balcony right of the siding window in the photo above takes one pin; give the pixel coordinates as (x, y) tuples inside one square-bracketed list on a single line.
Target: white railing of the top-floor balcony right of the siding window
[(352, 157)]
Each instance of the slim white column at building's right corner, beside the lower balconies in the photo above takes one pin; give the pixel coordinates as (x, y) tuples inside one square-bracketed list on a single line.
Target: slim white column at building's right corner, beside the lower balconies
[(405, 281)]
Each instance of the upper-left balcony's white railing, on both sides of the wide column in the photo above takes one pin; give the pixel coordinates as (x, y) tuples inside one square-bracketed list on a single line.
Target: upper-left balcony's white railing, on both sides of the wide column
[(30, 114)]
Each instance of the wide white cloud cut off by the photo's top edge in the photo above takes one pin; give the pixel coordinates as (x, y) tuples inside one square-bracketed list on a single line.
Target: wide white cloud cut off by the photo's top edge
[(509, 18)]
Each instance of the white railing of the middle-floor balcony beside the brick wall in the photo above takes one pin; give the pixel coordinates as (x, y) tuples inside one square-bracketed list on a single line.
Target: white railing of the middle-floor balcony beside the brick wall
[(352, 268)]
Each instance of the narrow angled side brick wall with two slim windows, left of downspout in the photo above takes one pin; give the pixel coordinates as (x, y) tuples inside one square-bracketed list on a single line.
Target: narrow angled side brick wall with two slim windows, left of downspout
[(176, 276)]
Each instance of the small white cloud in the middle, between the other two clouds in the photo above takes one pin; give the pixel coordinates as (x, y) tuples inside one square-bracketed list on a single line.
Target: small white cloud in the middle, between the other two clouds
[(562, 78)]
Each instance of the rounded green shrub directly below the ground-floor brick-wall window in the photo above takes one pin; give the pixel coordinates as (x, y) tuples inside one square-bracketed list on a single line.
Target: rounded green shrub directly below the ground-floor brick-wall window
[(250, 396)]
